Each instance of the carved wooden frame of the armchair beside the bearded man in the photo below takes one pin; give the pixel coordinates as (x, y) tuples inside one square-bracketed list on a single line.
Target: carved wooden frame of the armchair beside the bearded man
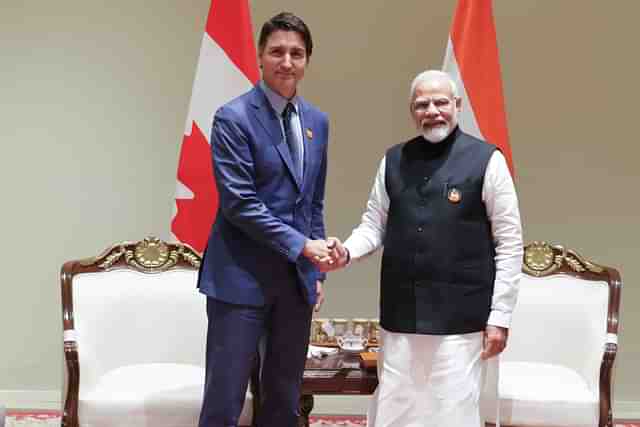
[(543, 259)]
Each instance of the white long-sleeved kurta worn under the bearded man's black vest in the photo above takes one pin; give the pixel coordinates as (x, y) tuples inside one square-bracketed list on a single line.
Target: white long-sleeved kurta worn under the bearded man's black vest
[(427, 380)]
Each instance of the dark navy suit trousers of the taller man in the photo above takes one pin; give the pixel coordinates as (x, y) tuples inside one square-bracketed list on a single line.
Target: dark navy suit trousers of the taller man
[(233, 334)]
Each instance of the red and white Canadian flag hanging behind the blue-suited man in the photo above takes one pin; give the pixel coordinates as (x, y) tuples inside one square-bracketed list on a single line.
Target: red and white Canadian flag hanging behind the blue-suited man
[(227, 67)]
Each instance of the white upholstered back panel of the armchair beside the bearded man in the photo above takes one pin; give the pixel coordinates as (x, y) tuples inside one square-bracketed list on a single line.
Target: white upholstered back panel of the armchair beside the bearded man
[(560, 320)]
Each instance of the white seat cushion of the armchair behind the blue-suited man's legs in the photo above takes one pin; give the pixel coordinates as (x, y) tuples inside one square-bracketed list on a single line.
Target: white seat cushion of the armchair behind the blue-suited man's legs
[(149, 395)]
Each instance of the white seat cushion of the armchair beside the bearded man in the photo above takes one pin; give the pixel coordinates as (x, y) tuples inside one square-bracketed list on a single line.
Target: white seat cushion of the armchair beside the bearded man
[(537, 394)]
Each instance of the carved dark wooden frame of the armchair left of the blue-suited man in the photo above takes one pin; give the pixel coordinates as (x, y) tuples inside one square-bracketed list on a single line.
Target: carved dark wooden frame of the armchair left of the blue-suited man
[(149, 256)]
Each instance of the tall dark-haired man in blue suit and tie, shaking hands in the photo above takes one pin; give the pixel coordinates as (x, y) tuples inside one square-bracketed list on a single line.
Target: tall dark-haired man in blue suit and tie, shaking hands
[(259, 271)]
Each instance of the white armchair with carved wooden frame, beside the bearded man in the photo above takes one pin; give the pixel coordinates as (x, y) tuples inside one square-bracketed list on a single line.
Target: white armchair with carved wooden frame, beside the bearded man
[(556, 369)]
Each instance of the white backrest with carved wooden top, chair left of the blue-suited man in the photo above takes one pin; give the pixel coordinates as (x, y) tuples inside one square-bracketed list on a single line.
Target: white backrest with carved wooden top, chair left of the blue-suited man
[(136, 303)]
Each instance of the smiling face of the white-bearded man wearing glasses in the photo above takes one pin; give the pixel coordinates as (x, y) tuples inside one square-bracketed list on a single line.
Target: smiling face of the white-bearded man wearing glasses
[(435, 109)]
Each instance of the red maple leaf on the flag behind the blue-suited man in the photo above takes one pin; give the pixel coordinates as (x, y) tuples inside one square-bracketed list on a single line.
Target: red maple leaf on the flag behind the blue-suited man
[(192, 223)]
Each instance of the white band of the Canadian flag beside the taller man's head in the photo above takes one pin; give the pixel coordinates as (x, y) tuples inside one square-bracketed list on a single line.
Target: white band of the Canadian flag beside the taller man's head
[(217, 81)]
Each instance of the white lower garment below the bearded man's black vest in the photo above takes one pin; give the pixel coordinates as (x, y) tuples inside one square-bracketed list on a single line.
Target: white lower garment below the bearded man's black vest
[(428, 380)]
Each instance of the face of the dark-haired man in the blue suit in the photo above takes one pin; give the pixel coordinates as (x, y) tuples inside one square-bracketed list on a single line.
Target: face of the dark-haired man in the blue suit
[(283, 60)]
